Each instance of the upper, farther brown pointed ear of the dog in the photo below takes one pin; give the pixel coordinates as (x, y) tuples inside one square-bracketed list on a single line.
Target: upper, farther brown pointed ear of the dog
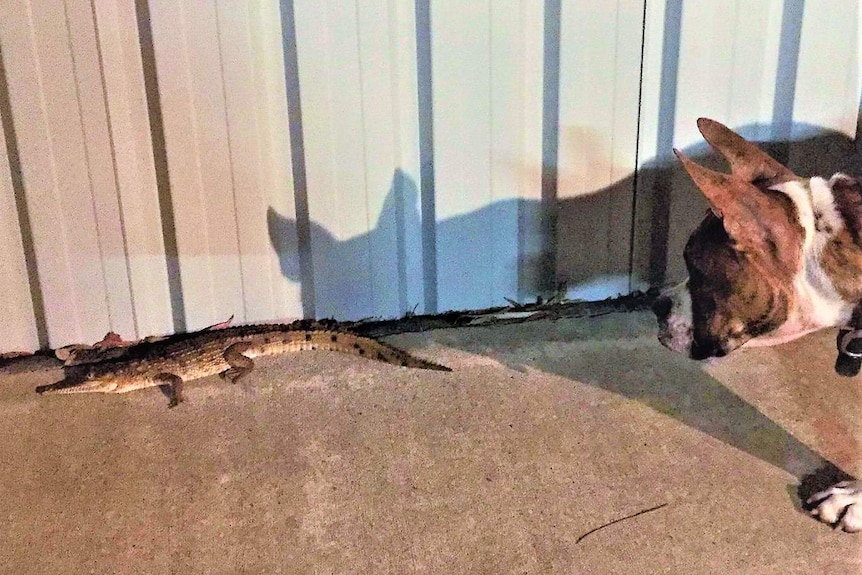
[(746, 160)]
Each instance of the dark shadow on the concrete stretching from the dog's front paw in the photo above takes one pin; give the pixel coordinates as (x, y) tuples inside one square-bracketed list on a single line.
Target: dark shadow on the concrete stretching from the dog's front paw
[(614, 356)]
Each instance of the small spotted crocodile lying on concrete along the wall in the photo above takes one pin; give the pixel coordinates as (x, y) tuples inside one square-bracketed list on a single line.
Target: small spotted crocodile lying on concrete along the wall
[(168, 363)]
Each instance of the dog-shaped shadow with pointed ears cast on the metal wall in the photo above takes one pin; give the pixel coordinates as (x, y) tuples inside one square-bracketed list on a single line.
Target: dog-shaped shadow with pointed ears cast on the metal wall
[(593, 252)]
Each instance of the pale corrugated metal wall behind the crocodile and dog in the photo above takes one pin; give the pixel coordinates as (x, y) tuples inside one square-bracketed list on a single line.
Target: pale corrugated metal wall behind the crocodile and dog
[(169, 163)]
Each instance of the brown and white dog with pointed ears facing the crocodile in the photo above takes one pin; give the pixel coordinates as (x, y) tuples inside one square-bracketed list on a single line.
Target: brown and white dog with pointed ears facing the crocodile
[(777, 256)]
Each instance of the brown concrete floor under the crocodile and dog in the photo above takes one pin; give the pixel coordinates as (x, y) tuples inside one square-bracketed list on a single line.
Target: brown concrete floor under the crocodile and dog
[(322, 463)]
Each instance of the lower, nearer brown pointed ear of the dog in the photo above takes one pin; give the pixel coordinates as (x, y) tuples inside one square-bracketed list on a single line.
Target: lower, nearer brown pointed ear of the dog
[(756, 221)]
